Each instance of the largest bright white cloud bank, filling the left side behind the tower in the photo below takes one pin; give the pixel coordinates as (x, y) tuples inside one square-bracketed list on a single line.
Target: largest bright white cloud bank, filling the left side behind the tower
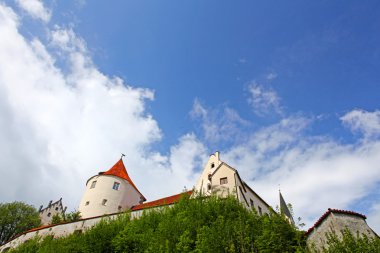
[(58, 127)]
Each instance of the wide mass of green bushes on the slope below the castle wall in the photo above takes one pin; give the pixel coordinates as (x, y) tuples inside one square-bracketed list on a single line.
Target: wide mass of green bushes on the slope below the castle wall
[(193, 225)]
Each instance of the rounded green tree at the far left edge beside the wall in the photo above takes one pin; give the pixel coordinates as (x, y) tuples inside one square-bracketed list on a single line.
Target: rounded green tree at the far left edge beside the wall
[(15, 218)]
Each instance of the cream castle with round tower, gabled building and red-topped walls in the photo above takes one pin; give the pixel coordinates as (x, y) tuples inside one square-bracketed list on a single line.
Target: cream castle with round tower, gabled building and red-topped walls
[(109, 193)]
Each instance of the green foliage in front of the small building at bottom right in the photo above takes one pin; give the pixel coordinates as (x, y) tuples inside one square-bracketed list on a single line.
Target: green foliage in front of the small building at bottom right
[(351, 243)]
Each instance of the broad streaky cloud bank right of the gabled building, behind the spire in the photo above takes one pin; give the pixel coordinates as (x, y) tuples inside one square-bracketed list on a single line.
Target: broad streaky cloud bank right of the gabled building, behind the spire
[(314, 172)]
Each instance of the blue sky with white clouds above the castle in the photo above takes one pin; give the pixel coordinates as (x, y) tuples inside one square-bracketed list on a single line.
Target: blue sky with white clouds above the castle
[(287, 91)]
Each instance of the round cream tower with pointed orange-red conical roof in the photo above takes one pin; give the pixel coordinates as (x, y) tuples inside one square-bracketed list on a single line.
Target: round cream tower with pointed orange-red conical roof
[(109, 192)]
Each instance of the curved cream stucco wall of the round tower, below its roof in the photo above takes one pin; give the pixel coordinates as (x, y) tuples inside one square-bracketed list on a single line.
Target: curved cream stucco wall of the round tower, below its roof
[(117, 200)]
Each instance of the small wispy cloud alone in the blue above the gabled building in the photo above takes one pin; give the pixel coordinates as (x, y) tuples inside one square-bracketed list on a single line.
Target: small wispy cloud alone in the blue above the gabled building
[(263, 100)]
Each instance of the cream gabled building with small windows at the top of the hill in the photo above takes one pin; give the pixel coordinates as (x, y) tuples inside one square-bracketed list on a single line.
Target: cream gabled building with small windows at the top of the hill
[(221, 179)]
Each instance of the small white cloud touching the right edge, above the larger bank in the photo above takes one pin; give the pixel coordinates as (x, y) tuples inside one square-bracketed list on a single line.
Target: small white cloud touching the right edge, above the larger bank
[(367, 123)]
